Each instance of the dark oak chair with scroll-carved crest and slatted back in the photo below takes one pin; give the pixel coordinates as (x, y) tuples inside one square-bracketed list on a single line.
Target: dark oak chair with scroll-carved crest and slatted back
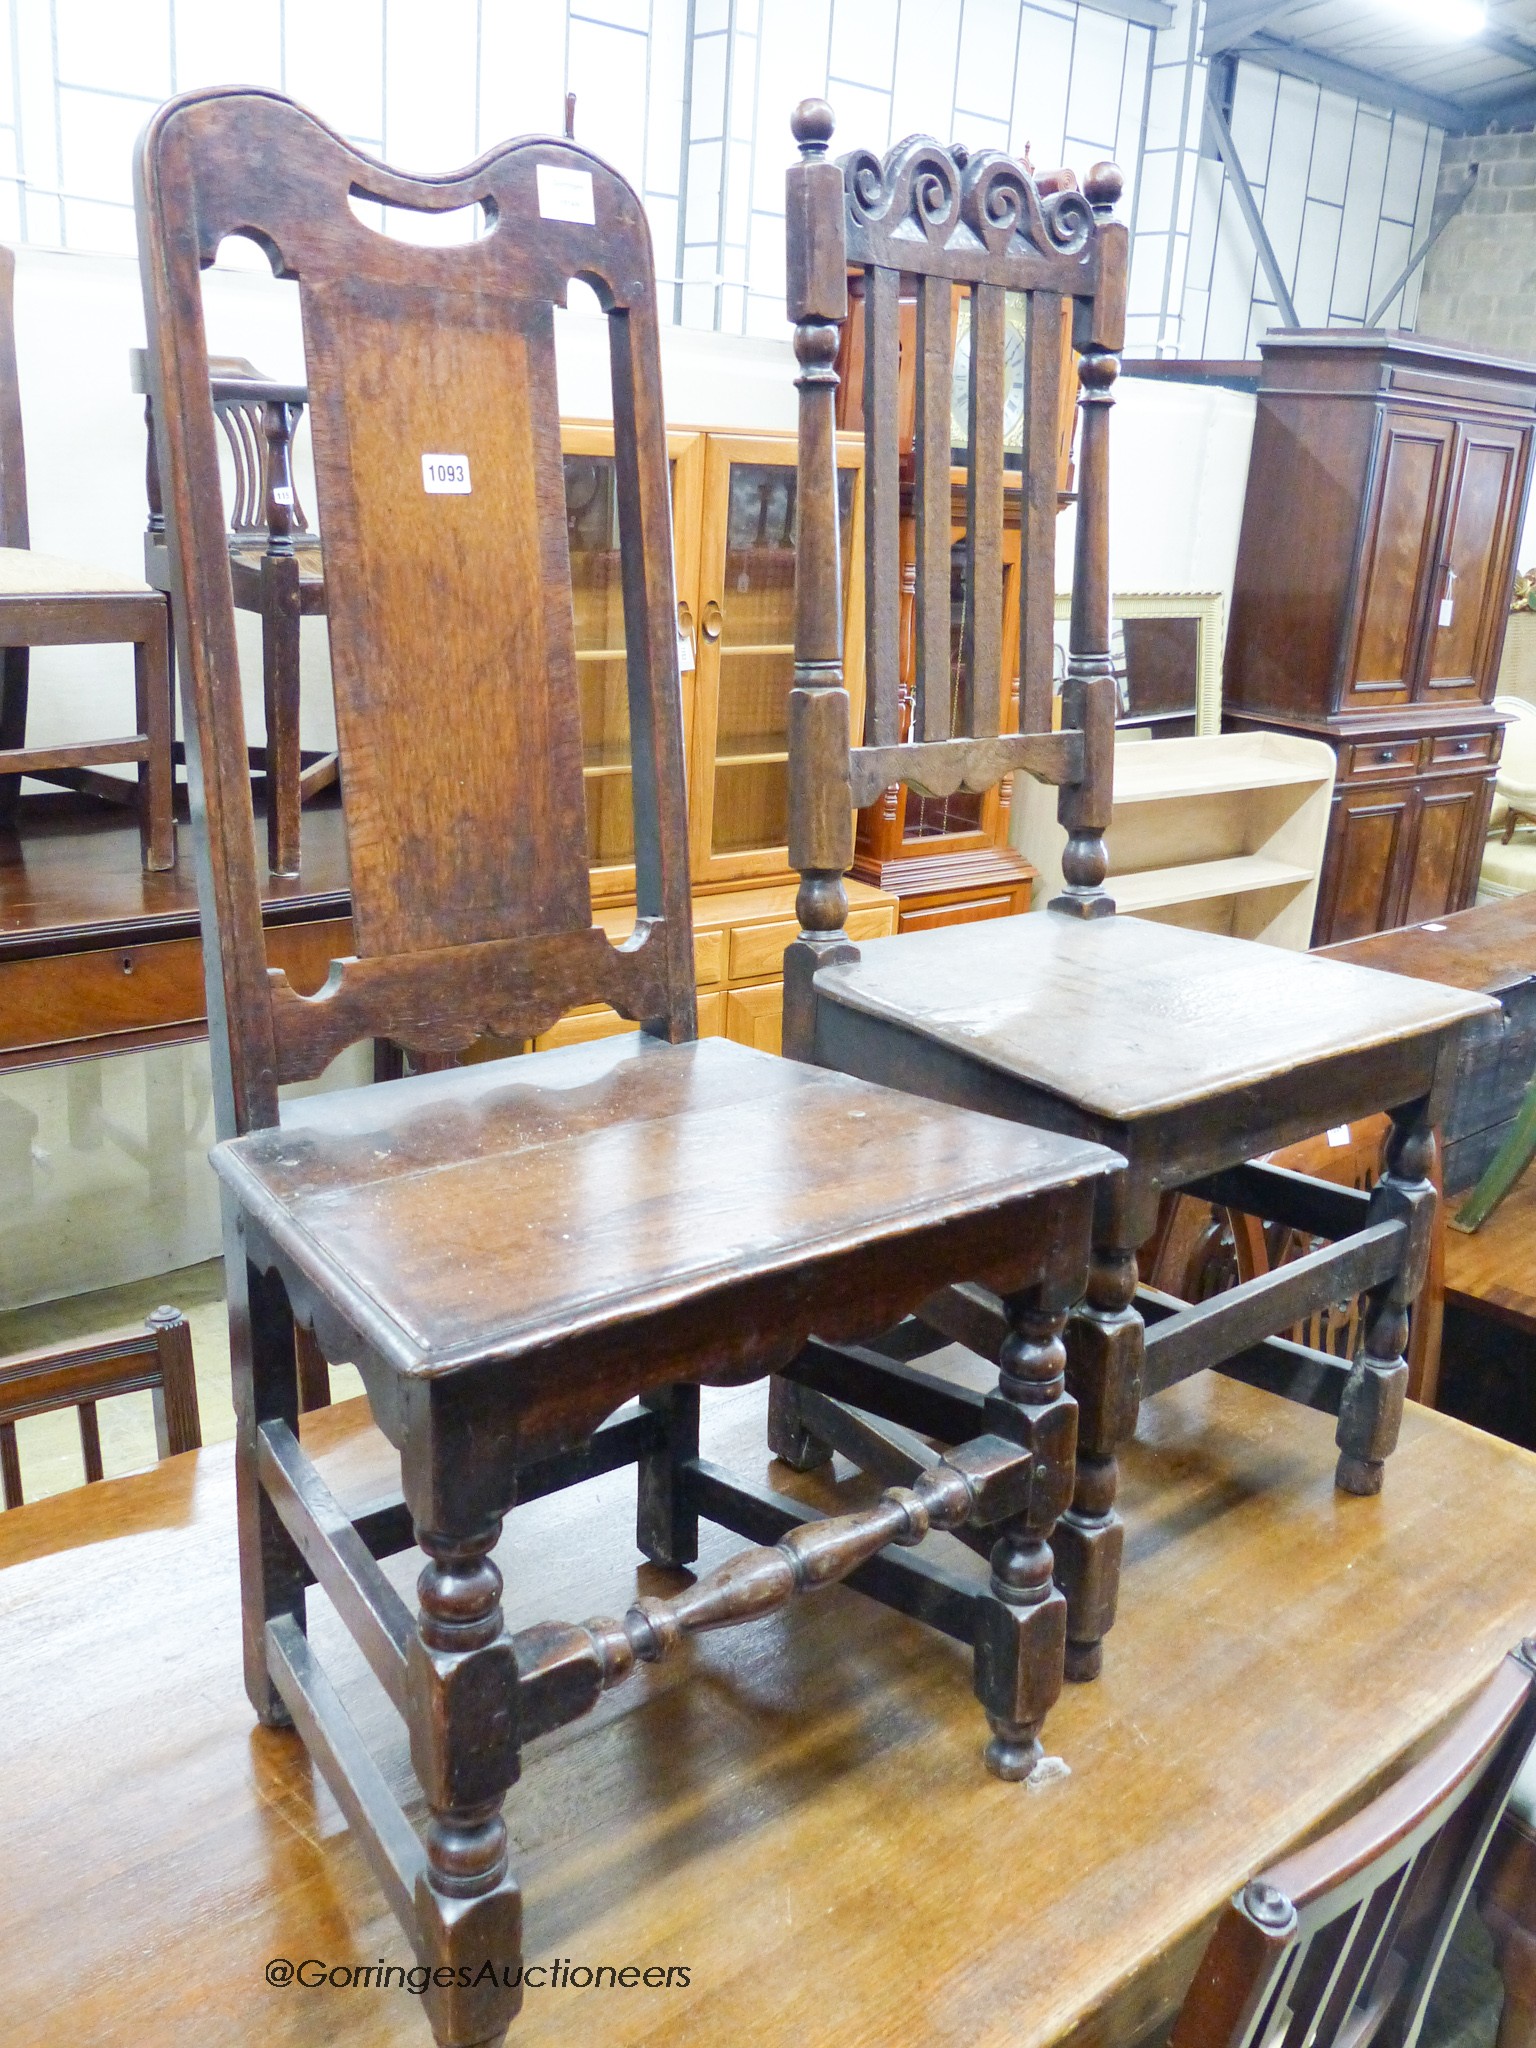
[(1185, 1052)]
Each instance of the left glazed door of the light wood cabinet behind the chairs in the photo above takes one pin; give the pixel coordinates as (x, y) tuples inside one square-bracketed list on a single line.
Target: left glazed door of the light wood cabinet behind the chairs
[(599, 609)]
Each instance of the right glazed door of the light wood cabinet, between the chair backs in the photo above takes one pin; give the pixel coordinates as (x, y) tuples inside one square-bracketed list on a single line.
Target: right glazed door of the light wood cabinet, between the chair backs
[(738, 796)]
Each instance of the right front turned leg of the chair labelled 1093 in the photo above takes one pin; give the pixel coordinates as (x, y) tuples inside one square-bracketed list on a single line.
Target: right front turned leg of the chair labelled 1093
[(1023, 1625)]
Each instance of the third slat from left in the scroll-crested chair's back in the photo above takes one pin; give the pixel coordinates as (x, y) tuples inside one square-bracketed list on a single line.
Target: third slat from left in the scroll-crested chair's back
[(984, 515)]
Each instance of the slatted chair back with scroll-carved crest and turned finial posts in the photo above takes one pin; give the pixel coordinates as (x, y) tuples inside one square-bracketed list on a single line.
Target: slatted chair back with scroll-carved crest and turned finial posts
[(976, 220)]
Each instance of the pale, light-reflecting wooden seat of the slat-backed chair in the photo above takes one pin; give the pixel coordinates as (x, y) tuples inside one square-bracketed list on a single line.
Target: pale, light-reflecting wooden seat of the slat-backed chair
[(1129, 1019)]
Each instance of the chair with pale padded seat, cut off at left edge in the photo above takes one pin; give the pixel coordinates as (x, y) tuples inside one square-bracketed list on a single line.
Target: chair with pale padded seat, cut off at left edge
[(50, 601)]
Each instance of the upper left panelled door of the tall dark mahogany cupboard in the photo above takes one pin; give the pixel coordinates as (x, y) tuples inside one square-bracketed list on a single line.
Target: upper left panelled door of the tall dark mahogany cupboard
[(1414, 464)]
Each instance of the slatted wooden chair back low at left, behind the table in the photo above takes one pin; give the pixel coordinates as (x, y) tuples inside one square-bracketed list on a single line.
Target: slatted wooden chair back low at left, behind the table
[(81, 1375)]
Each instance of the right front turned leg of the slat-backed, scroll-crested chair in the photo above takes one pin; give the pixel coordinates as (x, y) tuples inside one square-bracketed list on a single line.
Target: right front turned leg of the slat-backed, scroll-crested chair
[(1373, 1400)]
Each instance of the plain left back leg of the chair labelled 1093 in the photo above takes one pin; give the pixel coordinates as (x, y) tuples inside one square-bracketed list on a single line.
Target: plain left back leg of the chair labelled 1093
[(265, 1390)]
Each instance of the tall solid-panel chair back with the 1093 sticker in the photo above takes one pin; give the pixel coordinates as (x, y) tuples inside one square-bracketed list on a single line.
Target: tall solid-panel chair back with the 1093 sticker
[(439, 476)]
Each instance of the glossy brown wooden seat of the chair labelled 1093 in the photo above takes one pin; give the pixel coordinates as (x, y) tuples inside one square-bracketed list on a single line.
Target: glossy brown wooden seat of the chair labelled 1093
[(515, 1211)]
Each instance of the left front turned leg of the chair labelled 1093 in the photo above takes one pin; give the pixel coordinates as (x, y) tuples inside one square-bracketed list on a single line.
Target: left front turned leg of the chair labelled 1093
[(466, 1752)]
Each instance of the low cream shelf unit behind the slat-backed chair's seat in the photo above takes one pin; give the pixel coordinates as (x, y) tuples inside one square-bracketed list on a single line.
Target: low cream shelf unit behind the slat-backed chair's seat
[(1222, 833)]
